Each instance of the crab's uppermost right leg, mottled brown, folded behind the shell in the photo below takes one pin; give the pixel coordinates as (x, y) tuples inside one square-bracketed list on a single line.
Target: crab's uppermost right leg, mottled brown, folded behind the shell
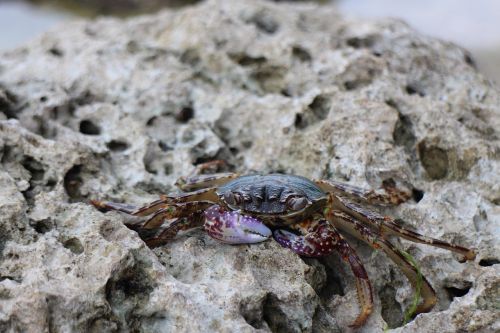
[(388, 195)]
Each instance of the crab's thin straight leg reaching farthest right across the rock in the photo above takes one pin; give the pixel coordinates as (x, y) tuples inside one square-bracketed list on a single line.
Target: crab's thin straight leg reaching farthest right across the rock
[(387, 225)]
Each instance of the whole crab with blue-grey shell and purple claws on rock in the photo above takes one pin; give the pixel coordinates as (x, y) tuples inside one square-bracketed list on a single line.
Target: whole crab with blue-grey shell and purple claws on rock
[(305, 216)]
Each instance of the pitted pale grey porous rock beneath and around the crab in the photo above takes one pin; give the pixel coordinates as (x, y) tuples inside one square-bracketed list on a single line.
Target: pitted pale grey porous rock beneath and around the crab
[(118, 110)]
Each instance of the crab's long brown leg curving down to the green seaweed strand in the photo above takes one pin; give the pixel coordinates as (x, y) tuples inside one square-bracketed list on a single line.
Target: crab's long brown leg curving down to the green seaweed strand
[(349, 224)]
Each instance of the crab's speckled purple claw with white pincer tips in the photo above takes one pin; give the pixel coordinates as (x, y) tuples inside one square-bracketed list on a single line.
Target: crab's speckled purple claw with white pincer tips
[(233, 228)]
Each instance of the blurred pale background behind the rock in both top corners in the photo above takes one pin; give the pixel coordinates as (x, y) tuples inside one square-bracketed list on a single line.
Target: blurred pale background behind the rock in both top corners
[(474, 25)]
